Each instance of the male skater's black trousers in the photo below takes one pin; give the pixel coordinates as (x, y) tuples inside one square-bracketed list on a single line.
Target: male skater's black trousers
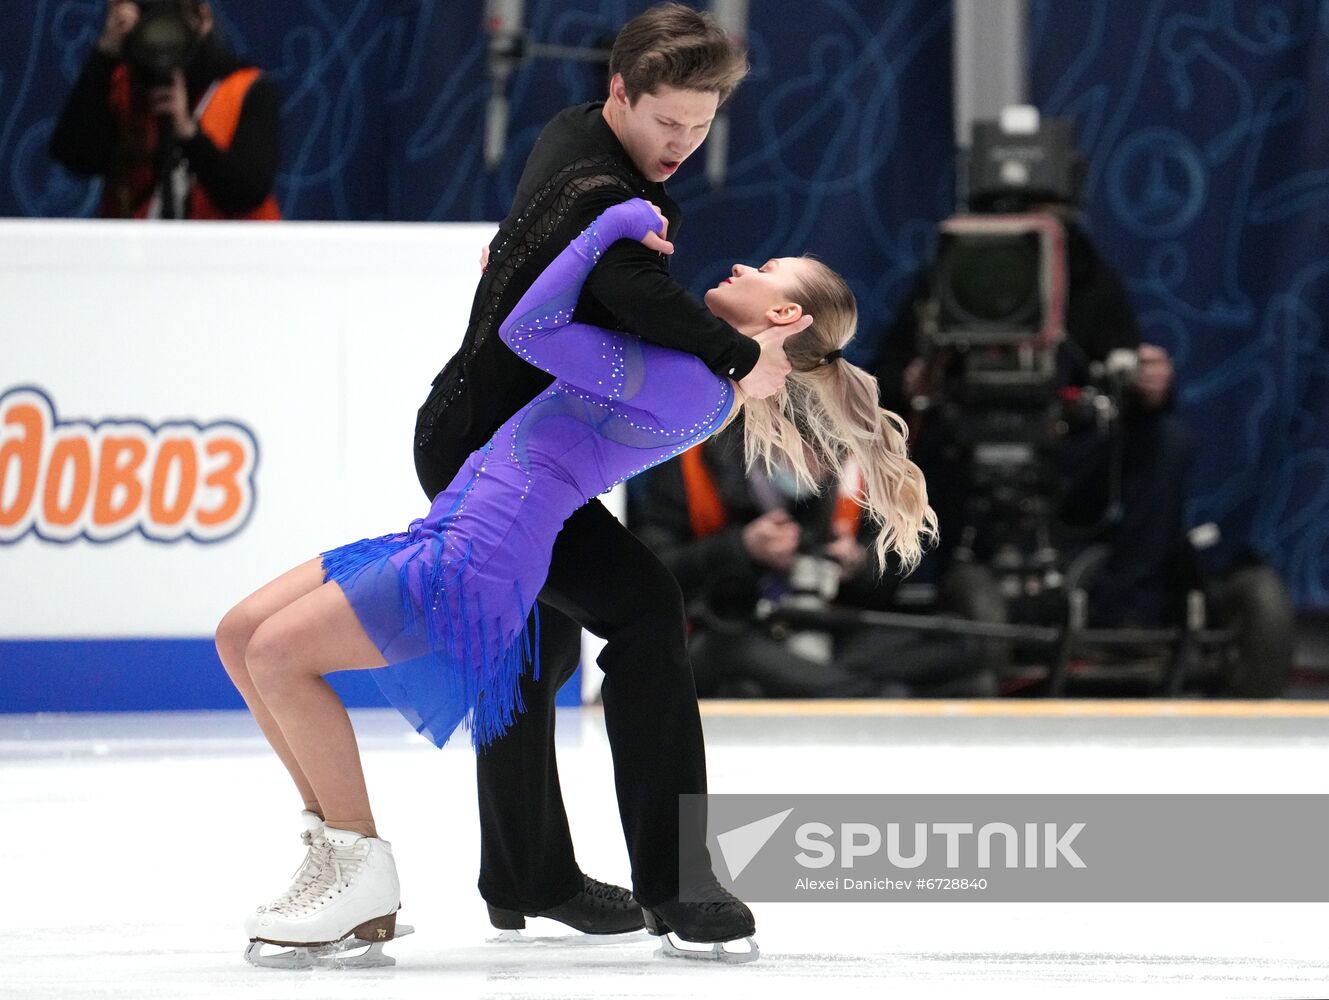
[(603, 579)]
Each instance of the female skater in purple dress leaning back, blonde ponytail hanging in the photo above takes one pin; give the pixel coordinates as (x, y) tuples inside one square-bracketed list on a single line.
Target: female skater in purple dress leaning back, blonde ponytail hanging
[(442, 608)]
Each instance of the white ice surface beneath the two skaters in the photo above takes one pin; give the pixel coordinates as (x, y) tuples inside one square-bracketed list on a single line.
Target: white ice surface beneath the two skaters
[(134, 846)]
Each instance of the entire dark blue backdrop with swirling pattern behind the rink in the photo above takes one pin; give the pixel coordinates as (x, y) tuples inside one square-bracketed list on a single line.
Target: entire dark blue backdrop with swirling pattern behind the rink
[(1207, 184)]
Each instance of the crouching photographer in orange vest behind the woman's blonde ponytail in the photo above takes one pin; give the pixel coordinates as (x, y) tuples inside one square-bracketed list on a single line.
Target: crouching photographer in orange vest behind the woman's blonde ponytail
[(733, 537)]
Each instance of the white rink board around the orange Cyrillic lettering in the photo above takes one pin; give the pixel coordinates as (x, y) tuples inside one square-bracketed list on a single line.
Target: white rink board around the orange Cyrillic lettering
[(321, 340)]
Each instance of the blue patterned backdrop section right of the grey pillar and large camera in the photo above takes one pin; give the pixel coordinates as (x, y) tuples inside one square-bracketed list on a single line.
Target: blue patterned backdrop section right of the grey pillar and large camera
[(1207, 128)]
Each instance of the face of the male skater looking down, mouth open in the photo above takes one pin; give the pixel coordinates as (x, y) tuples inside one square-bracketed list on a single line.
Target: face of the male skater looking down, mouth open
[(664, 128)]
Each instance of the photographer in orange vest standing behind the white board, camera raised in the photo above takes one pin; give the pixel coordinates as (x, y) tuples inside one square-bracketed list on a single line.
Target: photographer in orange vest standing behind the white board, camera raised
[(175, 123)]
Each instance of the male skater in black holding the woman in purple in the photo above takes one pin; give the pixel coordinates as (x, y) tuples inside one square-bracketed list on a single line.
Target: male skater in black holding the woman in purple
[(670, 70)]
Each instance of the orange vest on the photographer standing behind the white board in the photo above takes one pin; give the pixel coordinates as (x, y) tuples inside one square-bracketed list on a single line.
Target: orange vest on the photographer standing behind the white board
[(130, 191)]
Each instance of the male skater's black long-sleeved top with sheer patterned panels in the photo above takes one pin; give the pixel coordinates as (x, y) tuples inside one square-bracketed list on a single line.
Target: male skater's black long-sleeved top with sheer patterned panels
[(576, 171)]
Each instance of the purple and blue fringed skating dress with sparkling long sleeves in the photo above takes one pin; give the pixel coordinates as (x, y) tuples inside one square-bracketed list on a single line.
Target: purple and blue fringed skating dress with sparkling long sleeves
[(447, 602)]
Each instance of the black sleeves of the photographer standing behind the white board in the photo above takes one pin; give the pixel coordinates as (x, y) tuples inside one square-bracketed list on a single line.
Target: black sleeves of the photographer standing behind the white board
[(88, 139)]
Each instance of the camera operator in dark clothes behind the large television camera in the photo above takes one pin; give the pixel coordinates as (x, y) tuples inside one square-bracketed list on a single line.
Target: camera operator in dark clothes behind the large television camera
[(1136, 491)]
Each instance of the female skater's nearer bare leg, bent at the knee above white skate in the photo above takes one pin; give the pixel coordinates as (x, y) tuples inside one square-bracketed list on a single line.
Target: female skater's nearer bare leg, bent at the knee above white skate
[(286, 660)]
